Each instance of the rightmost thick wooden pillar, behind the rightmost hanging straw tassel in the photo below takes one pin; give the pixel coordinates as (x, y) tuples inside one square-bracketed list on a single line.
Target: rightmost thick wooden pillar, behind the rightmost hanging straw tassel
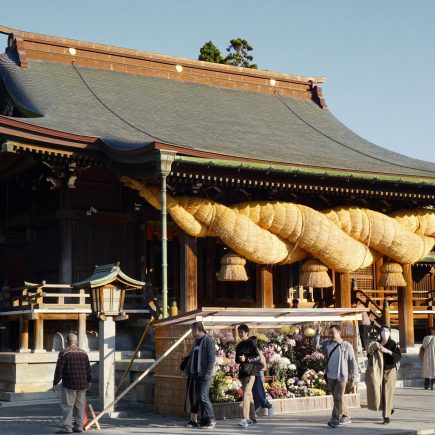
[(406, 320)]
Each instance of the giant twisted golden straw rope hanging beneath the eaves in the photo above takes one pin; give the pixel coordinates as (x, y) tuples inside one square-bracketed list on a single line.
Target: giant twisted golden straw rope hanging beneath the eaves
[(345, 239)]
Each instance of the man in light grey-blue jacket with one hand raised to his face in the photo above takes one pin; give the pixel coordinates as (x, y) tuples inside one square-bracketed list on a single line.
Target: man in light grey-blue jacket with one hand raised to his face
[(341, 368)]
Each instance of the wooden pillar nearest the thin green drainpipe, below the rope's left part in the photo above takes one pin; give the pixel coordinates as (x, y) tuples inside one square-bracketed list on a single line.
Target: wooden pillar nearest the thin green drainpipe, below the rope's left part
[(188, 269)]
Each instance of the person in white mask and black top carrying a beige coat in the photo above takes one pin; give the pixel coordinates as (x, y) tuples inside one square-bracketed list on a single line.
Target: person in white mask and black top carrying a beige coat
[(384, 355)]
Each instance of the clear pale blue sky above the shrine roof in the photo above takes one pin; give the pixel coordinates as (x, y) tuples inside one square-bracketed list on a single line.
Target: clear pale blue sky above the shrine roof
[(378, 56)]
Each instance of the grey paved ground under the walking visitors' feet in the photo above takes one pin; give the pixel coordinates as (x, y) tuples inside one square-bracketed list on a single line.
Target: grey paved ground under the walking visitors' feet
[(415, 414)]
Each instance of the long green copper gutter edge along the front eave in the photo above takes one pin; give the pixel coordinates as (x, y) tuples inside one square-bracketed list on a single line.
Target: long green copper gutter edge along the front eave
[(304, 171)]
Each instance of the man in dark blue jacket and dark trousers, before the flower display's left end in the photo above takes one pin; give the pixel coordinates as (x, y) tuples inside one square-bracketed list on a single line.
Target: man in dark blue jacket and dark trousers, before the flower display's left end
[(200, 370)]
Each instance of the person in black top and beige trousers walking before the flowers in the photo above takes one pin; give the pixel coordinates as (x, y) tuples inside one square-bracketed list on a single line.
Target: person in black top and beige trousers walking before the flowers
[(248, 357)]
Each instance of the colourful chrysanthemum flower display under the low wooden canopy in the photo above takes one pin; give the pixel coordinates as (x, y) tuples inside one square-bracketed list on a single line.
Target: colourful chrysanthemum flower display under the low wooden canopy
[(293, 367)]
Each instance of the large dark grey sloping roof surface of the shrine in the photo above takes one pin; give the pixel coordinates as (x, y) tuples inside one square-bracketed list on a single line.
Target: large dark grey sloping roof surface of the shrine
[(129, 111)]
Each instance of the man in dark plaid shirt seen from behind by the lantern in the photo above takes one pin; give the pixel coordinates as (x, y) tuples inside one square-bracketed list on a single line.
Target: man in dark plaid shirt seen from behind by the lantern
[(74, 370)]
